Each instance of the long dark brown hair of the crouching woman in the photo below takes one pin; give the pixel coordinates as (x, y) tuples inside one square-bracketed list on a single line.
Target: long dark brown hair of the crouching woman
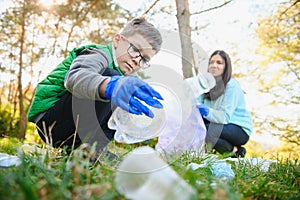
[(221, 82)]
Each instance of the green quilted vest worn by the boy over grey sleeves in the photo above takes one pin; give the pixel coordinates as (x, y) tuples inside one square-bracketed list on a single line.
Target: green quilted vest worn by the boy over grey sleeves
[(49, 90)]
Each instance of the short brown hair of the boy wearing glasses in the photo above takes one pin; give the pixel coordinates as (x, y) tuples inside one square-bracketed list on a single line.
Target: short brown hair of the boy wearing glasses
[(147, 30)]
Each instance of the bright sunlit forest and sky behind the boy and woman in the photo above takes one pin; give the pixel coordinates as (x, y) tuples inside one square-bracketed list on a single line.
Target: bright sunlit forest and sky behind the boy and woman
[(262, 39)]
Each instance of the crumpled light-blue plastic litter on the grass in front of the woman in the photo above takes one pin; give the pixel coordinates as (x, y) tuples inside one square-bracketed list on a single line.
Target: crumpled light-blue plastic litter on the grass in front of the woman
[(222, 170)]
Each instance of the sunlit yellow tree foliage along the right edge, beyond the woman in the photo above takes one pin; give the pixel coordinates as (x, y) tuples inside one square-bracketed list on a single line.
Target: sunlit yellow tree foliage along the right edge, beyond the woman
[(279, 74)]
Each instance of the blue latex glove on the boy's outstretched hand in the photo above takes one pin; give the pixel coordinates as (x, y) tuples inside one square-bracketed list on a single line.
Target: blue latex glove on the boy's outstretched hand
[(127, 91)]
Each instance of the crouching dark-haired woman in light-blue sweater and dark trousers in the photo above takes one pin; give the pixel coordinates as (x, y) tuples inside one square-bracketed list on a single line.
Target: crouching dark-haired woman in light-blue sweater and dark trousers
[(223, 109)]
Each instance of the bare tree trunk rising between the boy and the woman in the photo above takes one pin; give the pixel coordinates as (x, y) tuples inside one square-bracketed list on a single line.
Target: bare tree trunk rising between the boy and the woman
[(183, 19)]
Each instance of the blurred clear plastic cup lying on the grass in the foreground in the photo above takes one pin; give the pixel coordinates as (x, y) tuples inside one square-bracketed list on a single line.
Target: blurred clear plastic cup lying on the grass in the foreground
[(143, 174)]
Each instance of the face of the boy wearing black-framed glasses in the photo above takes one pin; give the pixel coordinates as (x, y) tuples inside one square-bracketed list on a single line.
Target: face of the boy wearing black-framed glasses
[(132, 52)]
